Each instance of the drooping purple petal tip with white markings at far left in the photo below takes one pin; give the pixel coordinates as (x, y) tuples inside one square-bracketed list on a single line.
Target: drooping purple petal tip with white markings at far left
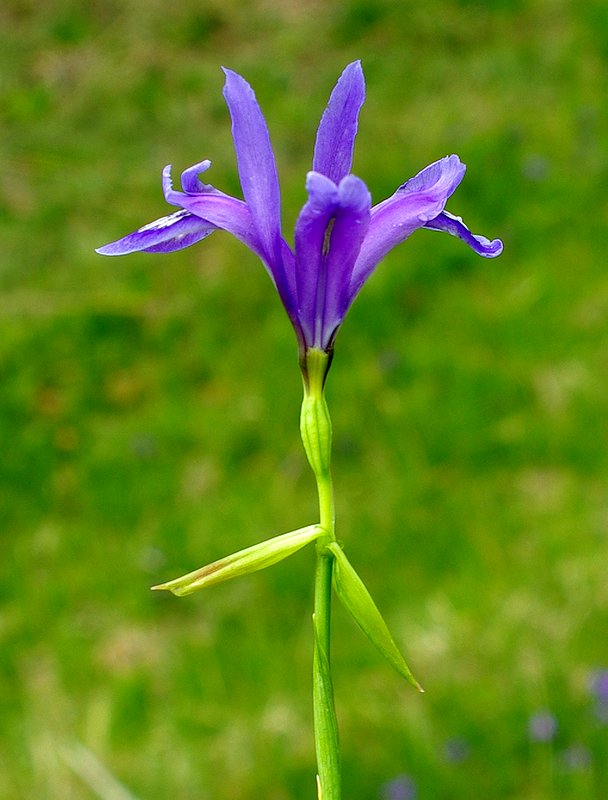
[(174, 232)]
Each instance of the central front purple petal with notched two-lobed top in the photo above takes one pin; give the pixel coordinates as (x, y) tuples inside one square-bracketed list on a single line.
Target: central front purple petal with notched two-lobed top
[(329, 233)]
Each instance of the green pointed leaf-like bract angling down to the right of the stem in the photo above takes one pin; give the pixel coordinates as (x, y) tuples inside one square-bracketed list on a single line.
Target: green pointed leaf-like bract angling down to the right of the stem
[(358, 602)]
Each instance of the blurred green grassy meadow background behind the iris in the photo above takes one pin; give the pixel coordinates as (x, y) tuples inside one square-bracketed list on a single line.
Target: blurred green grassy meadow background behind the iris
[(149, 409)]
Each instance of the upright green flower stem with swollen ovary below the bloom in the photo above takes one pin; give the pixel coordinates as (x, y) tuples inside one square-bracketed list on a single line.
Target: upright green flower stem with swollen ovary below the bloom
[(315, 426)]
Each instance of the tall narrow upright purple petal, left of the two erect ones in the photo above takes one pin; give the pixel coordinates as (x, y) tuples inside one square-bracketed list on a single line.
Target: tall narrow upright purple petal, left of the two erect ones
[(257, 167)]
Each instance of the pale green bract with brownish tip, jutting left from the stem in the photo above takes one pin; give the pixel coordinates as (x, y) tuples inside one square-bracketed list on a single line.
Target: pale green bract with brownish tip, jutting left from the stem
[(252, 559)]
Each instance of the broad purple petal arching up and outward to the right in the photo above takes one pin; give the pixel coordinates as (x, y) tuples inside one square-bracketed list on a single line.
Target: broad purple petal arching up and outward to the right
[(417, 201)]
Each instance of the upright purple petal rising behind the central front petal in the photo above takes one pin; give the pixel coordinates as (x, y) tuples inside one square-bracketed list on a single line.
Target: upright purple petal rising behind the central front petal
[(333, 154)]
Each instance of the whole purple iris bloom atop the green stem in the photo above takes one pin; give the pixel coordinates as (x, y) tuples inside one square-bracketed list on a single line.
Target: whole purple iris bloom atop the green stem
[(339, 236)]
